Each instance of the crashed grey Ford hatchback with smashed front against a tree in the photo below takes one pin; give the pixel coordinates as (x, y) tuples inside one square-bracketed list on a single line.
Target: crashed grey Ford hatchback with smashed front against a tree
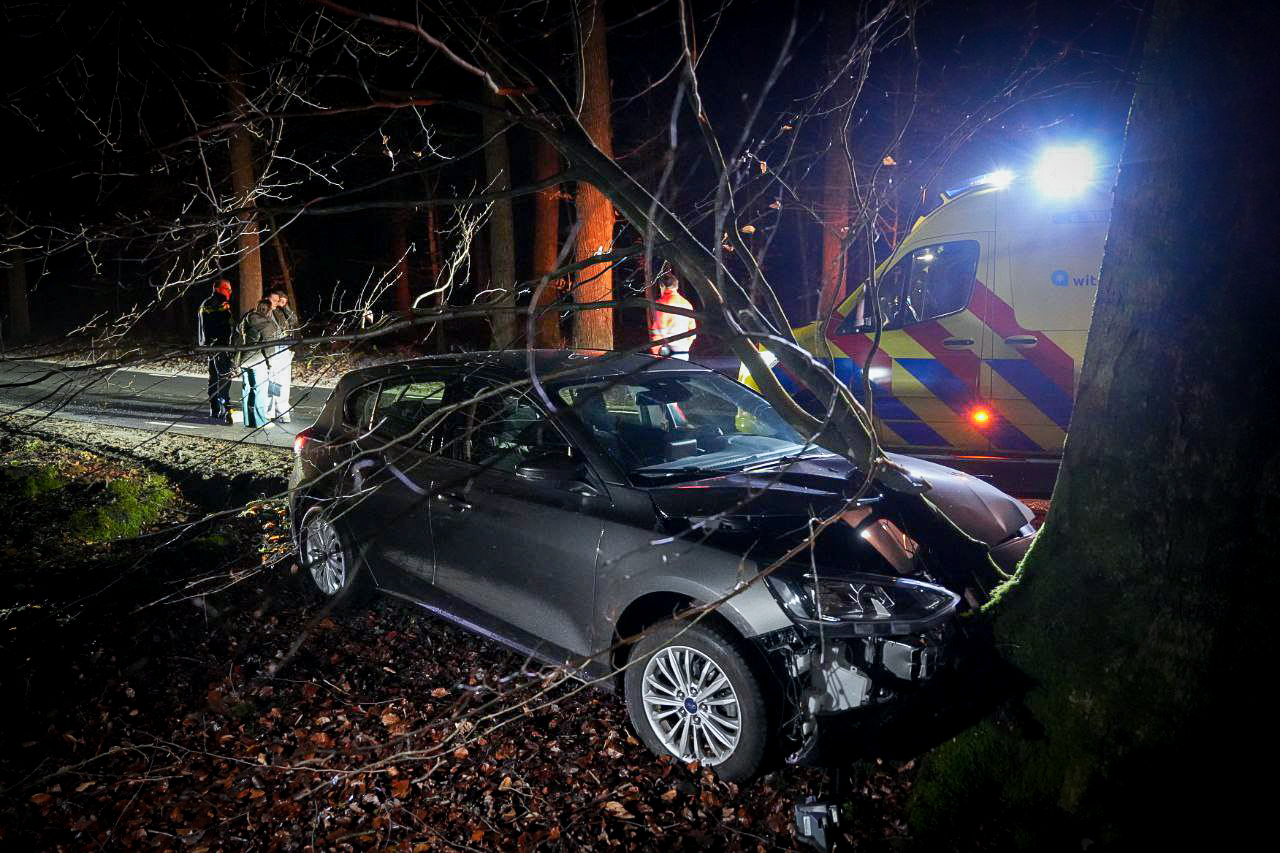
[(656, 527)]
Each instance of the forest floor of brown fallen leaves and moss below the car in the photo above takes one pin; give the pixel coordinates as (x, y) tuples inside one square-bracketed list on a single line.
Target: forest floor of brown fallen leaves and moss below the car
[(167, 687)]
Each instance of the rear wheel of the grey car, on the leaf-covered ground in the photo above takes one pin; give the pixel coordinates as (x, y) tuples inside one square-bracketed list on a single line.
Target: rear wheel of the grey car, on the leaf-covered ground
[(332, 571)]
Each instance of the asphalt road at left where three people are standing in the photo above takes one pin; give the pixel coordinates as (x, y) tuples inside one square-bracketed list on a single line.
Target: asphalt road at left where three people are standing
[(141, 400)]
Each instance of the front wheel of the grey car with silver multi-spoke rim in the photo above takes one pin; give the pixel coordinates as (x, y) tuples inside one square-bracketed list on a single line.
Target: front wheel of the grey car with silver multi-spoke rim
[(729, 727)]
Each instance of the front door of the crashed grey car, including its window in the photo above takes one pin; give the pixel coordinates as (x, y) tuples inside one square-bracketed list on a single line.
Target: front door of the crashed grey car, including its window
[(522, 550)]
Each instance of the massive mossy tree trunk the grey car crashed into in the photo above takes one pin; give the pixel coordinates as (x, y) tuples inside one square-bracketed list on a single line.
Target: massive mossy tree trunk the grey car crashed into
[(1144, 613)]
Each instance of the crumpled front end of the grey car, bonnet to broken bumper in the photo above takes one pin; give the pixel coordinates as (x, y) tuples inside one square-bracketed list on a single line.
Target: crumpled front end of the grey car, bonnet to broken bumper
[(880, 599)]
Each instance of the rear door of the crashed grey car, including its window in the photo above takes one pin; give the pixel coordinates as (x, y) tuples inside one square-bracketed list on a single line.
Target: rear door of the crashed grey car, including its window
[(397, 459)]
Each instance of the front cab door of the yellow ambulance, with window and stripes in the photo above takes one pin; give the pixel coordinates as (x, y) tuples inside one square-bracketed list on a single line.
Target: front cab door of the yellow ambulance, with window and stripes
[(926, 373)]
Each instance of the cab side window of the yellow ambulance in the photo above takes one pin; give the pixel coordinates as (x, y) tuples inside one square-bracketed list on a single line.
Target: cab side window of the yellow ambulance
[(931, 282)]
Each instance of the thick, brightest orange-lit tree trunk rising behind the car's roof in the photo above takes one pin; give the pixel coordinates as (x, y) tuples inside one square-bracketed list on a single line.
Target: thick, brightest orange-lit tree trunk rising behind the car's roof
[(595, 330)]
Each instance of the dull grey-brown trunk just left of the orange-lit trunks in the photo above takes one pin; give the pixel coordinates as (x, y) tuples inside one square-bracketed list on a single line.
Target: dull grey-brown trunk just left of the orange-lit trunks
[(502, 231)]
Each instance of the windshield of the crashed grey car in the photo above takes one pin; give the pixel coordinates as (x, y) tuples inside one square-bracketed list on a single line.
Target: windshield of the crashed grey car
[(679, 426)]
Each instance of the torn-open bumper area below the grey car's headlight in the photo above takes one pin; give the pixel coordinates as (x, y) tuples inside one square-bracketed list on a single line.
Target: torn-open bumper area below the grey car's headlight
[(847, 697)]
